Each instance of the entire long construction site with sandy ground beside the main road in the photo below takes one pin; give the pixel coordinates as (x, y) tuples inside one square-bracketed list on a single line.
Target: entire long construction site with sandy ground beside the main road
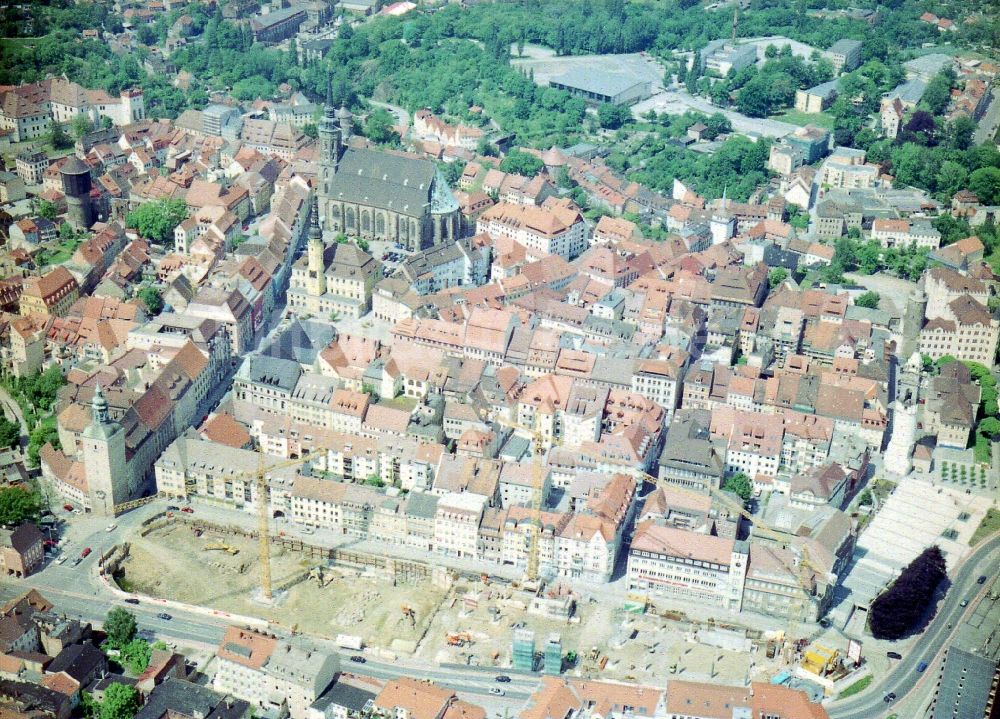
[(437, 617)]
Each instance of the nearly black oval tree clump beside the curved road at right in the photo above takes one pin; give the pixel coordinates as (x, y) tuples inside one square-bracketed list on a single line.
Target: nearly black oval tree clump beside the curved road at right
[(898, 610)]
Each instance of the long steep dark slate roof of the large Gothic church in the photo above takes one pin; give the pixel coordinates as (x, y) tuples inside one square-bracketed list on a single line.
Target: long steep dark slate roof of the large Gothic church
[(380, 179)]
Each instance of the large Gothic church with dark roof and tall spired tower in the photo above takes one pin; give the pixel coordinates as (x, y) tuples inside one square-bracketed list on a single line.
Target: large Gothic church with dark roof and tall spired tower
[(381, 195)]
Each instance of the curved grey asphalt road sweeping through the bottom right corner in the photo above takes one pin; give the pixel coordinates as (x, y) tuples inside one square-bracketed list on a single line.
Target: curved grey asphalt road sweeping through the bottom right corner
[(904, 678)]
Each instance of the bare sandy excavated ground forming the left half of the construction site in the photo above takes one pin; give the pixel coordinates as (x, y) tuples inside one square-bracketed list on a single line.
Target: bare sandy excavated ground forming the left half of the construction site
[(172, 563)]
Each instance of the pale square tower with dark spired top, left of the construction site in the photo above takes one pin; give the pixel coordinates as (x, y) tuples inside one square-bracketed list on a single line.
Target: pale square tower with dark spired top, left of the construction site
[(104, 459)]
